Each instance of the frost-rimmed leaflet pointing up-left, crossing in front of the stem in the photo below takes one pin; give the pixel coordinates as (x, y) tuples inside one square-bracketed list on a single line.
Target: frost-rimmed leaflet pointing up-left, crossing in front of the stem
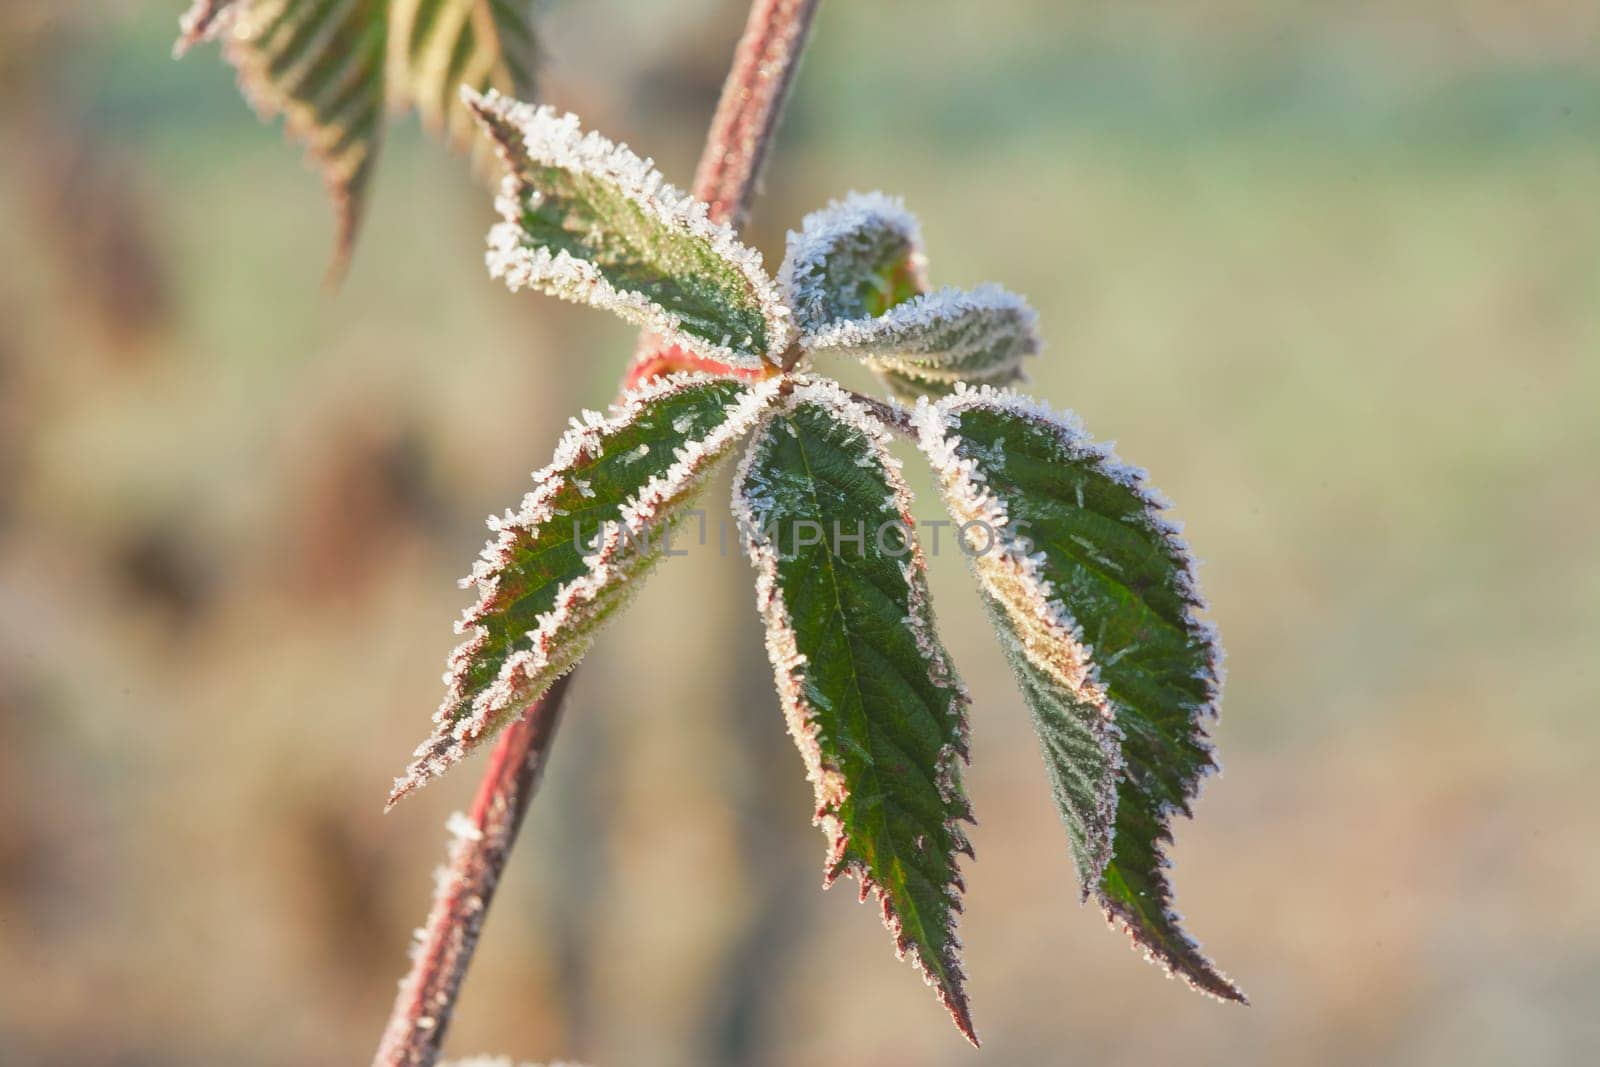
[(593, 223)]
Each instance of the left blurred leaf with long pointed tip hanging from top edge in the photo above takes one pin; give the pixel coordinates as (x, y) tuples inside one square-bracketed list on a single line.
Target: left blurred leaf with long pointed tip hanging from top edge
[(321, 65)]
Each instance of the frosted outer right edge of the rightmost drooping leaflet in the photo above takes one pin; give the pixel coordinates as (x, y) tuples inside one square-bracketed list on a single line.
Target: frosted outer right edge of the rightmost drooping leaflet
[(932, 422)]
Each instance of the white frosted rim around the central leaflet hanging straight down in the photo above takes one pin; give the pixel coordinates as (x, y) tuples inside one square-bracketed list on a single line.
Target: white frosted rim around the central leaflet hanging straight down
[(801, 719)]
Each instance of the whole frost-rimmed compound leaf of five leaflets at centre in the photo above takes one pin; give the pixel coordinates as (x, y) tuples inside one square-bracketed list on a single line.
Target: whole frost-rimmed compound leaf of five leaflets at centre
[(1090, 588)]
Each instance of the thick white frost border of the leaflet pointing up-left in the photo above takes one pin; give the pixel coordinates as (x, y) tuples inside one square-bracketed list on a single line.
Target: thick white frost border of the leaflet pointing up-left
[(558, 140)]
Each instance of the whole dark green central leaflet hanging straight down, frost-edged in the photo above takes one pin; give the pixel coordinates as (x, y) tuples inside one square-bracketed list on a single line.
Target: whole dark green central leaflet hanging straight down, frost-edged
[(868, 692)]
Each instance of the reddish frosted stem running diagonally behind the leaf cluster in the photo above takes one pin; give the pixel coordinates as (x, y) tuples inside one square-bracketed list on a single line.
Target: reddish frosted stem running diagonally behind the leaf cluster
[(742, 134)]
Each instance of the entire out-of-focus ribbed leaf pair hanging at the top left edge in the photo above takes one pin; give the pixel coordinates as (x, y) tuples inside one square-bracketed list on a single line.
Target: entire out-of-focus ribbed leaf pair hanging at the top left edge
[(332, 68)]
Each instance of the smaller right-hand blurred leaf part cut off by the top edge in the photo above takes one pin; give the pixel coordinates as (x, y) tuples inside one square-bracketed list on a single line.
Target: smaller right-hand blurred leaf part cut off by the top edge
[(441, 46)]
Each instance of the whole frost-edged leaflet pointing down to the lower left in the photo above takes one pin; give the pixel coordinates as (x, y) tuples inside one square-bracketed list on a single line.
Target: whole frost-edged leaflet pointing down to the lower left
[(598, 519)]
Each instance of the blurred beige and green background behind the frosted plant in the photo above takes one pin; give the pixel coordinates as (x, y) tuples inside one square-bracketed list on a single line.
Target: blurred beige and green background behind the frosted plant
[(1332, 273)]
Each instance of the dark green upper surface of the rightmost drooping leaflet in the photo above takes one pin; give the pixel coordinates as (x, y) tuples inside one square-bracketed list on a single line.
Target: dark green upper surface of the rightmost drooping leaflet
[(1124, 583)]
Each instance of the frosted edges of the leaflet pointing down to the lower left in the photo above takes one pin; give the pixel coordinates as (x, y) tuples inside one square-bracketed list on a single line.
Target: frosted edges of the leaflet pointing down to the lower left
[(529, 673)]
